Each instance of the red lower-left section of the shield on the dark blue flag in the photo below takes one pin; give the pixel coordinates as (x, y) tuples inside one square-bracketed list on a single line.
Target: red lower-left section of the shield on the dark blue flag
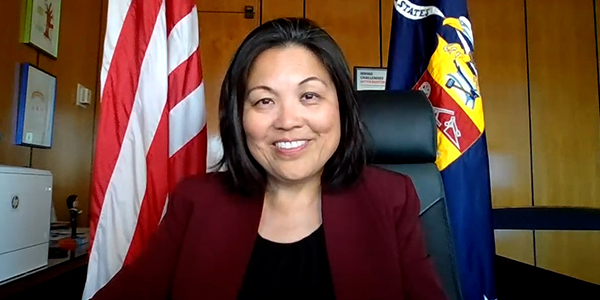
[(451, 120)]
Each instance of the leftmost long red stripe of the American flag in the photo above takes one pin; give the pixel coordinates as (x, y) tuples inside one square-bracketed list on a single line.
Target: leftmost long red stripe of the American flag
[(118, 97)]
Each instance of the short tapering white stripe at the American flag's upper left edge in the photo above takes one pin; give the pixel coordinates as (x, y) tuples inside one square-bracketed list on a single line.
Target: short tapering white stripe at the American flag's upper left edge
[(117, 10)]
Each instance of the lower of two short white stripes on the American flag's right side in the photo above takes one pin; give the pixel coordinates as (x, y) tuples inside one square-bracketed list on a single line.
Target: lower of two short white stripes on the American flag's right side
[(186, 119)]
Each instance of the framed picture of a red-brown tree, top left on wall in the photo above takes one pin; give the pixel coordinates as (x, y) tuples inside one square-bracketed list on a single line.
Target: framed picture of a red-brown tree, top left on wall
[(42, 25)]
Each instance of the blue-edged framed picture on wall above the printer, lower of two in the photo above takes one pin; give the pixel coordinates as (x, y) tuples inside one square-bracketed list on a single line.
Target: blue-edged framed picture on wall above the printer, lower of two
[(37, 101)]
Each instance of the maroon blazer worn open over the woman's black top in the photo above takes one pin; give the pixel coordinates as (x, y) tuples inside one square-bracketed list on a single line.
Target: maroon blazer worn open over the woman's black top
[(203, 245)]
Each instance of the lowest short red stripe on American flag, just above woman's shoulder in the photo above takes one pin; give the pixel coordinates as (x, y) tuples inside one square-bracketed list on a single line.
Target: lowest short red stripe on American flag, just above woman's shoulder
[(189, 160)]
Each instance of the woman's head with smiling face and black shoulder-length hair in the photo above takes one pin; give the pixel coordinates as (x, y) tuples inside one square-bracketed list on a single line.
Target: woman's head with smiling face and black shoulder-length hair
[(290, 72)]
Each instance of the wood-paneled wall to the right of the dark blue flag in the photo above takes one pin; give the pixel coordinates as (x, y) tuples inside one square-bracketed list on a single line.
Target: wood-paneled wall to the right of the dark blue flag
[(539, 83)]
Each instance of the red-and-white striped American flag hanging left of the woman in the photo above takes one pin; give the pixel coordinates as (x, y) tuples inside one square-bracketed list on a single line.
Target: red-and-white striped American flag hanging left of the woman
[(152, 127)]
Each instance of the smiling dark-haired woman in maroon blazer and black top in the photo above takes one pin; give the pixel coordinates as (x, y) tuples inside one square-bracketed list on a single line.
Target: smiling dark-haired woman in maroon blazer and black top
[(297, 214)]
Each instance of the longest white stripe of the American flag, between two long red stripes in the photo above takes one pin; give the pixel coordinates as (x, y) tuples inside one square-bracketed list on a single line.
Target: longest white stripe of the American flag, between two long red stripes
[(127, 186)]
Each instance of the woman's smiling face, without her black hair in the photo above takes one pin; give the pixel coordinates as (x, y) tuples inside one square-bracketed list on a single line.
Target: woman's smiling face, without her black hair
[(291, 114)]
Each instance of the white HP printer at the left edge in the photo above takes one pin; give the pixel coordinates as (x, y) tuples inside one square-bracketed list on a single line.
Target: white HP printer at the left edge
[(25, 210)]
